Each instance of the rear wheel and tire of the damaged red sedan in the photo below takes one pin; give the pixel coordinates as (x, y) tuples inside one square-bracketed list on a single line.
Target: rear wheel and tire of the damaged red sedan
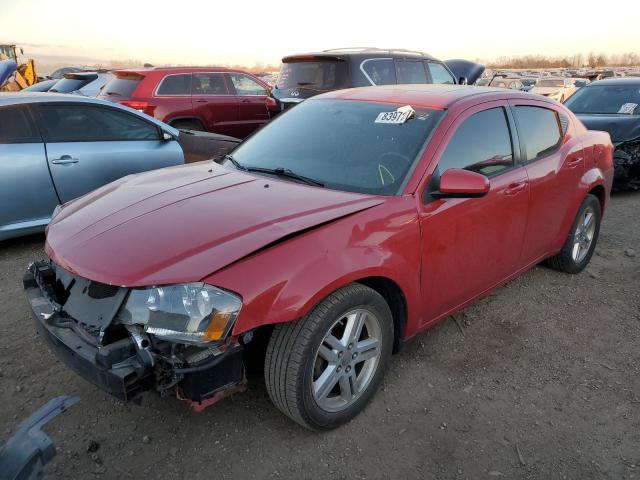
[(581, 242)]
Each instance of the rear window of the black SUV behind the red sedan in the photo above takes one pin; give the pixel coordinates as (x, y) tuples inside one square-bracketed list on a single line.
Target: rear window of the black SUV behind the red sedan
[(319, 75)]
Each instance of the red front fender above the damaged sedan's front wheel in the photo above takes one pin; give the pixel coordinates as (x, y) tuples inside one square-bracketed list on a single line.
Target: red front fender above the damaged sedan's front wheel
[(283, 283)]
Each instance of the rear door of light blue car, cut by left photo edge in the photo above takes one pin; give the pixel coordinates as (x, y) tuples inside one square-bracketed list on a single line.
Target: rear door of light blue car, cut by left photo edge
[(27, 196)]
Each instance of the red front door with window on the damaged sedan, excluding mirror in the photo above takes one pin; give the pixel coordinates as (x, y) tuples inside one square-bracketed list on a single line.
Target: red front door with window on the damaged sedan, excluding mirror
[(471, 244)]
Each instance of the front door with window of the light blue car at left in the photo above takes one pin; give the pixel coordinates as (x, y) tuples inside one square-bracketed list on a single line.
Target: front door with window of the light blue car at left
[(89, 145)]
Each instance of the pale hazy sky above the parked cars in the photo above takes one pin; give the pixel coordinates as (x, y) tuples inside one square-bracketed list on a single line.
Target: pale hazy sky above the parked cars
[(206, 32)]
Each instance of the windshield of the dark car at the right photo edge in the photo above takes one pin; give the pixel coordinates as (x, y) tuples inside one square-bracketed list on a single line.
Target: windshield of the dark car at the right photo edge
[(606, 99)]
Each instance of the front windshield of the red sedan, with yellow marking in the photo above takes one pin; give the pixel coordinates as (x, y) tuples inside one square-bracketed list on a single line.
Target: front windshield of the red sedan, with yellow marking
[(341, 144)]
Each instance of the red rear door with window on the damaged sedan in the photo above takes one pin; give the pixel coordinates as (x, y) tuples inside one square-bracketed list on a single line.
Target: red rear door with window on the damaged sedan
[(554, 164)]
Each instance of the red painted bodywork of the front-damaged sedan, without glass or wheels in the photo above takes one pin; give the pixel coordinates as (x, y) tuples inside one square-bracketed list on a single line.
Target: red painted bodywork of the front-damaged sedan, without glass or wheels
[(285, 247)]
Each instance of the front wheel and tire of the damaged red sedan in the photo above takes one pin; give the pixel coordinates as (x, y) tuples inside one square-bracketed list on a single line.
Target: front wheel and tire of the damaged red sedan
[(322, 370)]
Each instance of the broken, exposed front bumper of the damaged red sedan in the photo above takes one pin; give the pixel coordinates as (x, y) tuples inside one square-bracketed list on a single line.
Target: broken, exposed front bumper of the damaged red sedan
[(127, 362)]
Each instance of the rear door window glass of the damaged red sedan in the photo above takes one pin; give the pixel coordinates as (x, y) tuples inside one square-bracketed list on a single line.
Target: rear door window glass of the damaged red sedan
[(539, 129)]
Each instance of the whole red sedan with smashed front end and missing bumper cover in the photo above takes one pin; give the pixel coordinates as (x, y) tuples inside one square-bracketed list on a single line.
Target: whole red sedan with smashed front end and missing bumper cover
[(340, 230)]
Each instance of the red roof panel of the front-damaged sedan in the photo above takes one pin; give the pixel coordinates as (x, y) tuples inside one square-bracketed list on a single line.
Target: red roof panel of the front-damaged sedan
[(421, 95)]
